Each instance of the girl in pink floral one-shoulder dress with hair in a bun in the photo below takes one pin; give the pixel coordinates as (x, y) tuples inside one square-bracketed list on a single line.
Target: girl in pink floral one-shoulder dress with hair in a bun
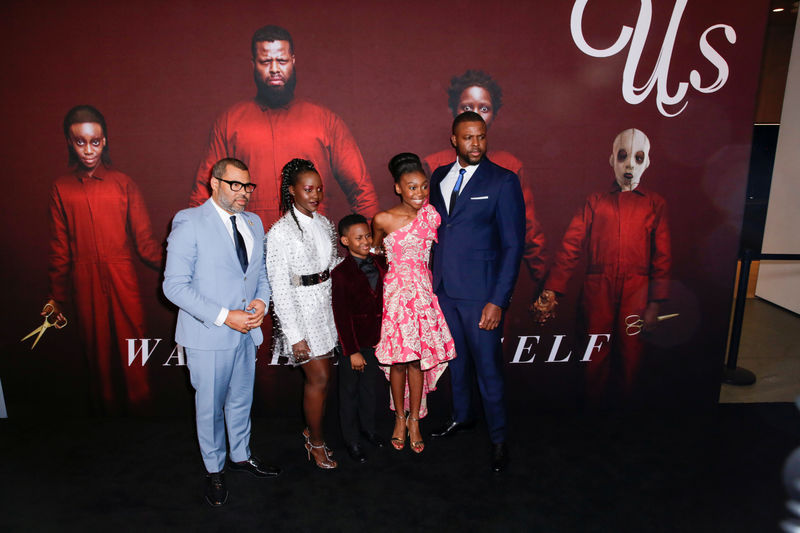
[(415, 340)]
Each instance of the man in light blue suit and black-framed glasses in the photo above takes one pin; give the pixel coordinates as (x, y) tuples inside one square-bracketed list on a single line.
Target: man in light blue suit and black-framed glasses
[(217, 277)]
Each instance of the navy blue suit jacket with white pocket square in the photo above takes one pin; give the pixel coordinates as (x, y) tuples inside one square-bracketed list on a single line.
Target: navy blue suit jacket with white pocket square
[(481, 243)]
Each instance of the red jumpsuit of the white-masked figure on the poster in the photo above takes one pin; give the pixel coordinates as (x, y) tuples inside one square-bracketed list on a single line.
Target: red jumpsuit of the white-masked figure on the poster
[(626, 240)]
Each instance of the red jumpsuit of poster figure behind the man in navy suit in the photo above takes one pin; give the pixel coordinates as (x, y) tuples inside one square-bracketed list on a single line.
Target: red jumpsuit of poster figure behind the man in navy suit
[(533, 255)]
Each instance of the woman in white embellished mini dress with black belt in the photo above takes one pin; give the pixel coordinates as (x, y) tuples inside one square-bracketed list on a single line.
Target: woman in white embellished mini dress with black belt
[(301, 252)]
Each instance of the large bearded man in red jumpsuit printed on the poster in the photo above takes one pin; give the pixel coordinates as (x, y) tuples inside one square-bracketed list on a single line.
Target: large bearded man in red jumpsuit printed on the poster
[(273, 128)]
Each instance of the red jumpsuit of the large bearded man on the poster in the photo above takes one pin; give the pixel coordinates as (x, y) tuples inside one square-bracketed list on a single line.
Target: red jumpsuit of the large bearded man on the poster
[(266, 139)]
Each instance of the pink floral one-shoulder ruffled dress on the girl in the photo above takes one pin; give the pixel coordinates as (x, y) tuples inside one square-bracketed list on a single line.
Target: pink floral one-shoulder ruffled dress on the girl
[(413, 326)]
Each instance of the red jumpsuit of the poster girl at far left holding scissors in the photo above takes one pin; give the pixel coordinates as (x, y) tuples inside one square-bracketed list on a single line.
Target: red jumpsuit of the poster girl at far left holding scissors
[(98, 226)]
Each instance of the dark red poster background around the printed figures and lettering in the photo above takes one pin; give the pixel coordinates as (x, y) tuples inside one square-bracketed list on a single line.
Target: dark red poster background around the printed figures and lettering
[(161, 72)]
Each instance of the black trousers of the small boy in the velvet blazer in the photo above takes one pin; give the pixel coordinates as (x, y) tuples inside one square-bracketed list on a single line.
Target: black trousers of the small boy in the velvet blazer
[(357, 396)]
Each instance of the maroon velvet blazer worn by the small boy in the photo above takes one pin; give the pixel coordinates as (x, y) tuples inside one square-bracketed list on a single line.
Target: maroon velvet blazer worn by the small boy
[(357, 309)]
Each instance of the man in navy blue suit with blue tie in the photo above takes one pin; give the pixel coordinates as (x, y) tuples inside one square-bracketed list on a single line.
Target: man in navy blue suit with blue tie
[(475, 267)]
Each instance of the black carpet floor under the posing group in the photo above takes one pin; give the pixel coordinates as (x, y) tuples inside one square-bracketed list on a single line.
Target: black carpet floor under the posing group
[(716, 470)]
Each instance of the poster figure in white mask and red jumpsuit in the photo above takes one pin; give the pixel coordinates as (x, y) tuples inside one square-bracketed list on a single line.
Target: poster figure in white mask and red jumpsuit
[(623, 235)]
